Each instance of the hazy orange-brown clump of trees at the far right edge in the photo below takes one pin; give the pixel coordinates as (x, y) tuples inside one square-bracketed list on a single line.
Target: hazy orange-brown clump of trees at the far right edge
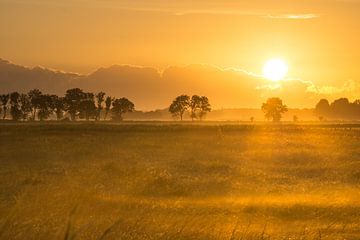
[(341, 108)]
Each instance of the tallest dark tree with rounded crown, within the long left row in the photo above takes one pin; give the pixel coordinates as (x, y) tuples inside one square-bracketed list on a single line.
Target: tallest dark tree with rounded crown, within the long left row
[(72, 100)]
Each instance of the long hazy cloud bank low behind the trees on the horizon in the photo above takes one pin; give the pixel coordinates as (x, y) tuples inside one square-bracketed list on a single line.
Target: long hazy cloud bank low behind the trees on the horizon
[(151, 89)]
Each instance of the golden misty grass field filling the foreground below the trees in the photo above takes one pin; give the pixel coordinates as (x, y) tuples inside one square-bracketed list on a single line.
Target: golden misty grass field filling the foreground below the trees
[(167, 181)]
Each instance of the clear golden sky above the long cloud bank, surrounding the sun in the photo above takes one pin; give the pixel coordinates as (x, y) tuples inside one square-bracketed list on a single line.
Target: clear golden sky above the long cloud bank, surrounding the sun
[(319, 39)]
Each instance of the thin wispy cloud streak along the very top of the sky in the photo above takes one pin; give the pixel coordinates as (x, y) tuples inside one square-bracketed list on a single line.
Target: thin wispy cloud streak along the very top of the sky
[(176, 9)]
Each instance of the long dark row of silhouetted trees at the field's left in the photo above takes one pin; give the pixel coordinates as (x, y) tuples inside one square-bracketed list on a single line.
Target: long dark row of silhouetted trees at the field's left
[(76, 103)]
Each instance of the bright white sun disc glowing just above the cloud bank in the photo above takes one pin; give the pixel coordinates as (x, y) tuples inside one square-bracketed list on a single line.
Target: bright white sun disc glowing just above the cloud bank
[(275, 69)]
